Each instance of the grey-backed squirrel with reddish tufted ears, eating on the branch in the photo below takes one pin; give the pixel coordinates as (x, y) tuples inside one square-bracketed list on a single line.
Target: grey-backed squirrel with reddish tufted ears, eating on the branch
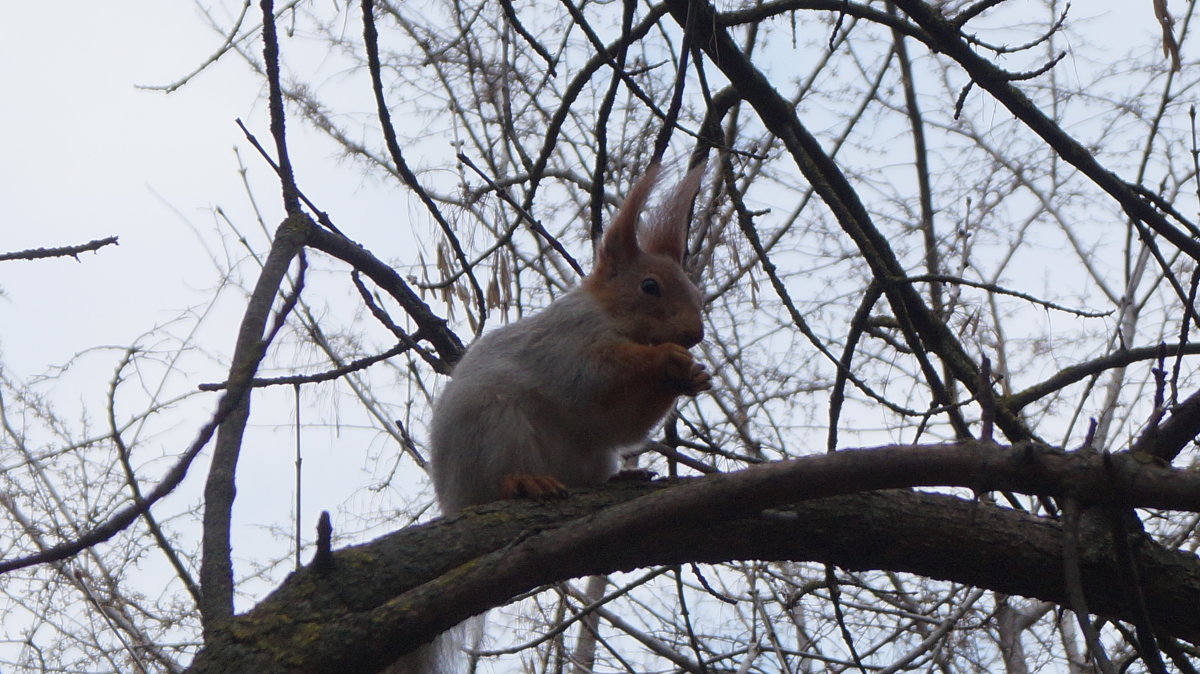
[(549, 402)]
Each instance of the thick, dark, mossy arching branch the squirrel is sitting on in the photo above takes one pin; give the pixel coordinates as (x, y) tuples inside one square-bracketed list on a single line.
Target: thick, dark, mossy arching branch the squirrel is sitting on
[(416, 583)]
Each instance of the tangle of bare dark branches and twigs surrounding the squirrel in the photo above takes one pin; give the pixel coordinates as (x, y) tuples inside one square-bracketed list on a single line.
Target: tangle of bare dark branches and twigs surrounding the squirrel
[(950, 278)]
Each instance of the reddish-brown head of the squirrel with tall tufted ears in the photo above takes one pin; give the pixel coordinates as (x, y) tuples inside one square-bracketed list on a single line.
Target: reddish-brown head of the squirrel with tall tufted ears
[(639, 276)]
